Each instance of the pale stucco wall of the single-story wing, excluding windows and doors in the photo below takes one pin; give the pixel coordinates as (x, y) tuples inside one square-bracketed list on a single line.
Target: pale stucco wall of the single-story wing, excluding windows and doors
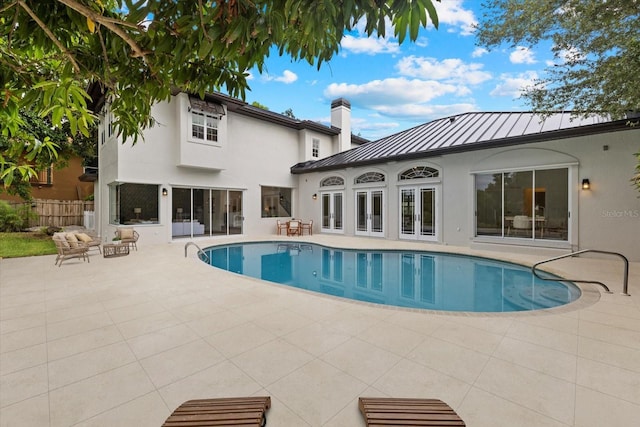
[(607, 217)]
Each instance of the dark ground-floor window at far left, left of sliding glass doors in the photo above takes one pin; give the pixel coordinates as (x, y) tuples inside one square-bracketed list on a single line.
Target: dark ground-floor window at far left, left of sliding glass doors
[(133, 203)]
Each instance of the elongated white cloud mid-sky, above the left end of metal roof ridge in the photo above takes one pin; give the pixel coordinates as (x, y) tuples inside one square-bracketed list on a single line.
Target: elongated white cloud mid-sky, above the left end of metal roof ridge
[(451, 70)]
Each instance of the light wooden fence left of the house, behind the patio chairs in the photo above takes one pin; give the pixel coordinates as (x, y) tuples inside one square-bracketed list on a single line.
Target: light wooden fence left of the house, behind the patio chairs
[(56, 213)]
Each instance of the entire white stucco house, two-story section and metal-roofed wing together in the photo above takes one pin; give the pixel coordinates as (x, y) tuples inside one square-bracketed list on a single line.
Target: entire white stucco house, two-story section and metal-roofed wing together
[(496, 180)]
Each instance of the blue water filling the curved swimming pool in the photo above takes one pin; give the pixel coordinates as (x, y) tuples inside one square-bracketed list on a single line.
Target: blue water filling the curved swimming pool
[(424, 280)]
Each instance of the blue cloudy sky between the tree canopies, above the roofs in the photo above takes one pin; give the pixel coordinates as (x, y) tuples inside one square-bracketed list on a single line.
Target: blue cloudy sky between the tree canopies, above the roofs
[(394, 87)]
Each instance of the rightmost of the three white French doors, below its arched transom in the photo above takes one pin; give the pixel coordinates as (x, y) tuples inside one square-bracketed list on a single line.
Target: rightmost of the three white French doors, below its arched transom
[(418, 213)]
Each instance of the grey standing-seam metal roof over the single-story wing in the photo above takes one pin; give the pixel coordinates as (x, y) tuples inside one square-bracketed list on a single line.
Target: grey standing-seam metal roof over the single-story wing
[(466, 132)]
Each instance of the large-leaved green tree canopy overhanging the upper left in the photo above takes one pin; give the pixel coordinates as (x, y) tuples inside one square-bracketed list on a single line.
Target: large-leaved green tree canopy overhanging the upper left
[(138, 51)]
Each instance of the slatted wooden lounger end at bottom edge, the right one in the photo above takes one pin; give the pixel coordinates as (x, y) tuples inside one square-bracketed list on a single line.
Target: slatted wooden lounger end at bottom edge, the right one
[(382, 411)]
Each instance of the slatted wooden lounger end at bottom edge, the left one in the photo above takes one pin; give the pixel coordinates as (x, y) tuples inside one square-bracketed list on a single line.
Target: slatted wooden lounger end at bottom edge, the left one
[(235, 411)]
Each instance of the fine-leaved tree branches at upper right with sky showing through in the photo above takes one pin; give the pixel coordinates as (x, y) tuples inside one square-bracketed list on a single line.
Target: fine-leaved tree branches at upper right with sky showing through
[(596, 45)]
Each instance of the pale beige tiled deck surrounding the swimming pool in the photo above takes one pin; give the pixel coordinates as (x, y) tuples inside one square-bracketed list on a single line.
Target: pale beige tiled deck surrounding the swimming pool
[(123, 341)]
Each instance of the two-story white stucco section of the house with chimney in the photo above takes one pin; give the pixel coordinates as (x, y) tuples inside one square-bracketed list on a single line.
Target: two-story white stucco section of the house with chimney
[(210, 167)]
